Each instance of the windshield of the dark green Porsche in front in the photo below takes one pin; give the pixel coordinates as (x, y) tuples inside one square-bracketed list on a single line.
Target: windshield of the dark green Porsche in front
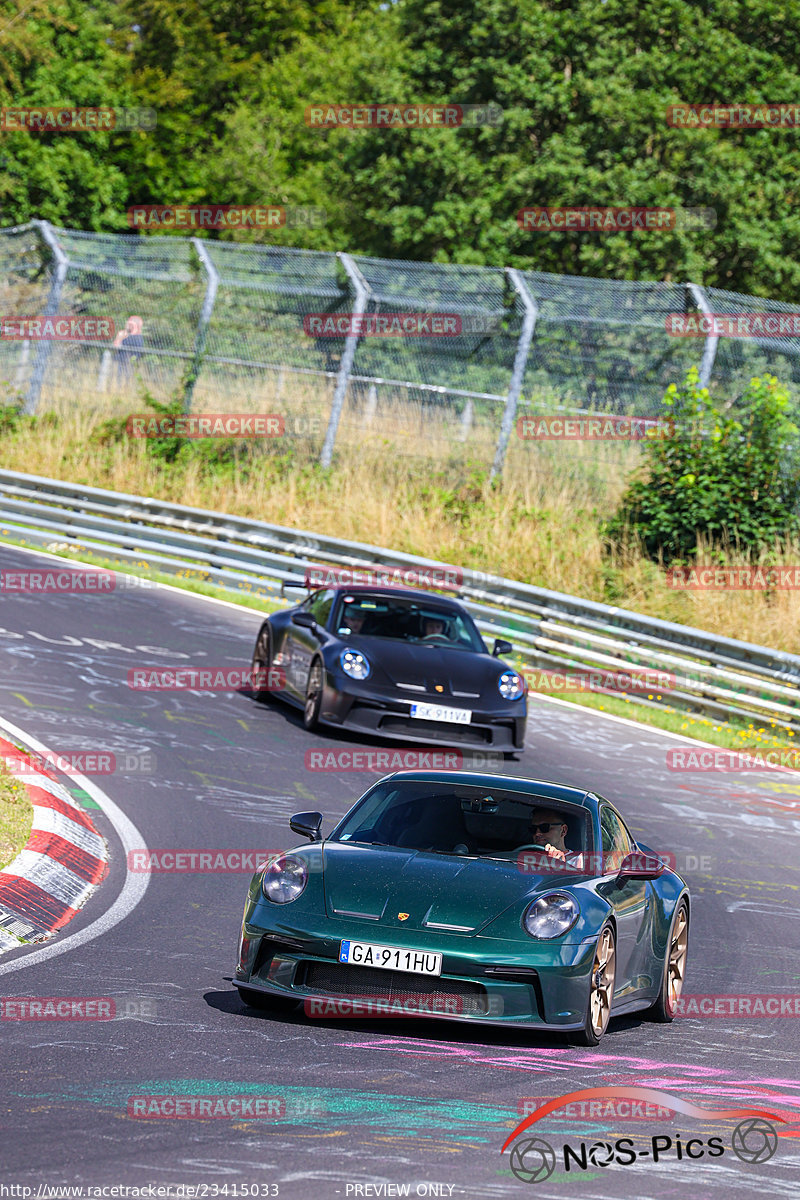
[(460, 819)]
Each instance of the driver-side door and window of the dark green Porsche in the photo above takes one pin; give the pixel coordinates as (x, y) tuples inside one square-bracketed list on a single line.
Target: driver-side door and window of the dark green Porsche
[(631, 904)]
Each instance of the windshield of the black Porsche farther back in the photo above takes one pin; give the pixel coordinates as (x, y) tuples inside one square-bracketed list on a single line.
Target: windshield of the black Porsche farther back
[(406, 620)]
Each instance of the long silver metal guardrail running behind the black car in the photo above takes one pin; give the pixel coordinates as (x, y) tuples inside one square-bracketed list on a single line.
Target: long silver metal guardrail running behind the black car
[(701, 673)]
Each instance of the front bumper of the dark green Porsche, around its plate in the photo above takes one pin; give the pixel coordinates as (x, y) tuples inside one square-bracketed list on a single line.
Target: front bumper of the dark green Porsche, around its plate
[(483, 980)]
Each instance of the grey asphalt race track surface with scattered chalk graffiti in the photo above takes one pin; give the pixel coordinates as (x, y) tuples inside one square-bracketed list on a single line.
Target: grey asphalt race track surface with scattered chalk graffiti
[(370, 1107)]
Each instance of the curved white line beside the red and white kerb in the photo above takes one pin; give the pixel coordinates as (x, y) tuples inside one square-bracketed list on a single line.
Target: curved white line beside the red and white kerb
[(136, 885)]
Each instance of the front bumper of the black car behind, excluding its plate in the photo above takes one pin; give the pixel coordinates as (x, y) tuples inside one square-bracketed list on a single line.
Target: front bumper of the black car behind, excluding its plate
[(386, 716)]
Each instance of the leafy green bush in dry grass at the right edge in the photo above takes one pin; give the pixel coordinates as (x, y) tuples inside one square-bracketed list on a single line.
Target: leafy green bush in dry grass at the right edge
[(732, 482)]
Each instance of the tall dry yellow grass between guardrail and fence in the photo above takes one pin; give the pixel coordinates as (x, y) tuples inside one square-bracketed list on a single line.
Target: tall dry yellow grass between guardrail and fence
[(410, 479)]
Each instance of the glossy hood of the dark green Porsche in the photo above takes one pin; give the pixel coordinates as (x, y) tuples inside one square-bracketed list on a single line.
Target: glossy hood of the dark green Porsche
[(438, 892)]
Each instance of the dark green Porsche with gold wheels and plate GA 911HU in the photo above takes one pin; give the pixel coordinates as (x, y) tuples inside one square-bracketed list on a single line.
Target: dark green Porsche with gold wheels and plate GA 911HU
[(468, 897)]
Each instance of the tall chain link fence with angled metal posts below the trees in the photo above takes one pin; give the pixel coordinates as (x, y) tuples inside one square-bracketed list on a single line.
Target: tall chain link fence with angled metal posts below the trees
[(327, 340)]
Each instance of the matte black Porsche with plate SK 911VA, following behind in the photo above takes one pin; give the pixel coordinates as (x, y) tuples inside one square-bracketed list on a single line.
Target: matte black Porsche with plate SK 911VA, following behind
[(398, 663)]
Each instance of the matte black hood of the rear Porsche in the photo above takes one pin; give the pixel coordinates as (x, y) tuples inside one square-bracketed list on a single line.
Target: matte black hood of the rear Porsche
[(426, 667)]
